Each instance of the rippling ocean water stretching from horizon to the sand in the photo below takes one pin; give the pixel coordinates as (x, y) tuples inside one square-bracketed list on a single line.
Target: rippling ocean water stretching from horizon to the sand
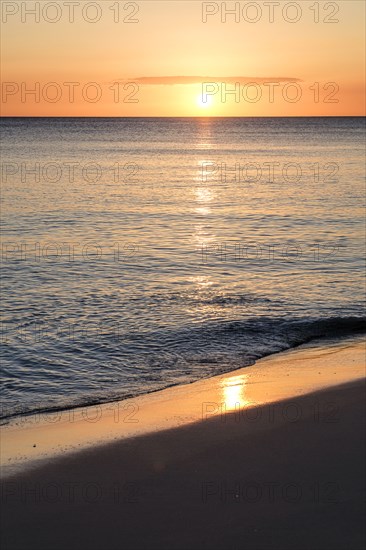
[(139, 253)]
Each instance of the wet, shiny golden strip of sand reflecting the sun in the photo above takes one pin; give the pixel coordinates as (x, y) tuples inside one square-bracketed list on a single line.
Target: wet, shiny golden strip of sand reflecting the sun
[(32, 440)]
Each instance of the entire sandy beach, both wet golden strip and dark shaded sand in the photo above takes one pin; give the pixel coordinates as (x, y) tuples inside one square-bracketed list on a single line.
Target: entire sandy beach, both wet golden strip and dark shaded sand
[(269, 456)]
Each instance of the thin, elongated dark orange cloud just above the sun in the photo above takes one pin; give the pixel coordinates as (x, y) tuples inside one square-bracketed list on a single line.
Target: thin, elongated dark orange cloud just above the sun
[(174, 80)]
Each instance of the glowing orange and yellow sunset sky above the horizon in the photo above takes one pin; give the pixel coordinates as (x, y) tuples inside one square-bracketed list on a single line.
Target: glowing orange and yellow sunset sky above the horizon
[(183, 58)]
